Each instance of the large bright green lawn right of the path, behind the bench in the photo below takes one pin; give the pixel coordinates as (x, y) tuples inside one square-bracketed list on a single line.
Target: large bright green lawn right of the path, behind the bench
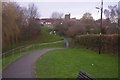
[(68, 62)]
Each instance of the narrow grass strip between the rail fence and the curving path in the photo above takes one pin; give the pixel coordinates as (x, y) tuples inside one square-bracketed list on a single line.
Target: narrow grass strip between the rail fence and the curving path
[(12, 57)]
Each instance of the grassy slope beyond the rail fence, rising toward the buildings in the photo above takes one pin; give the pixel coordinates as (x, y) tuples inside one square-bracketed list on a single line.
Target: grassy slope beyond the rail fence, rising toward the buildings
[(42, 38)]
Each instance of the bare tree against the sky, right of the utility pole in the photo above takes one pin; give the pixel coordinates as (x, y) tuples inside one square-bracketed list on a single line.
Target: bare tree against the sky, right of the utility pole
[(112, 13)]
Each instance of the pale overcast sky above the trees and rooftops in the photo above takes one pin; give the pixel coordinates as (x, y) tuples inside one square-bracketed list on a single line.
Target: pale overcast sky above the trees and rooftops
[(75, 7)]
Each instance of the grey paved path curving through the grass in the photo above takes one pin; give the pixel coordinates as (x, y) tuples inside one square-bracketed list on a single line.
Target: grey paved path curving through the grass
[(24, 67)]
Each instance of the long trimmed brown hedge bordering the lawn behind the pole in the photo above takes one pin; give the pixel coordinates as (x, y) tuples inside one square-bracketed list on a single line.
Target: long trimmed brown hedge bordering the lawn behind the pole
[(109, 43)]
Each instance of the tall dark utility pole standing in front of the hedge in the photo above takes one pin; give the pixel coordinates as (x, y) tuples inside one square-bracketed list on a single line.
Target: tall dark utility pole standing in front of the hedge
[(101, 28)]
